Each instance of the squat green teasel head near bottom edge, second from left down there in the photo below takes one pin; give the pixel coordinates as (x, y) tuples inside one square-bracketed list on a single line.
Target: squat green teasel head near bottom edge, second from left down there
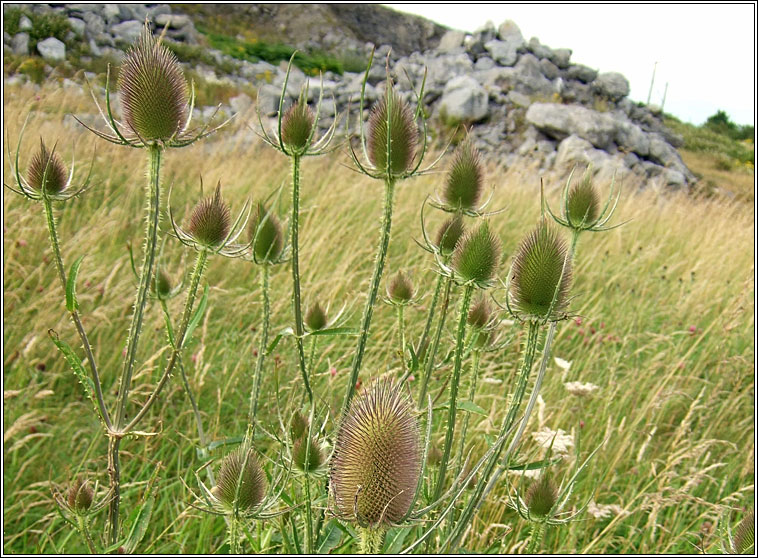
[(240, 467)]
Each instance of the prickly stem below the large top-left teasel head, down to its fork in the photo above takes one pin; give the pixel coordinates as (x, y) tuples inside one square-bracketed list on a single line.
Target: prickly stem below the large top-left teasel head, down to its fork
[(146, 273)]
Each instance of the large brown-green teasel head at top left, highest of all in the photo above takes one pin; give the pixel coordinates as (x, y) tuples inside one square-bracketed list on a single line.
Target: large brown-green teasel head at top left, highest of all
[(153, 90)]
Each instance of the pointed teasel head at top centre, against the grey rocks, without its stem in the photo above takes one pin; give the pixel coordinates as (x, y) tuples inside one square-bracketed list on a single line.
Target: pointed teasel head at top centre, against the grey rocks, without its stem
[(392, 115)]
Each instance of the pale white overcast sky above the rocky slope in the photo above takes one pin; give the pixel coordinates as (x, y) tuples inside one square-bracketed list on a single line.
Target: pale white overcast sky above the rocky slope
[(705, 52)]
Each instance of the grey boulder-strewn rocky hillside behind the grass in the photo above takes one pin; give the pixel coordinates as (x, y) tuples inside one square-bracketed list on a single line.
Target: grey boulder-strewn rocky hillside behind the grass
[(524, 102)]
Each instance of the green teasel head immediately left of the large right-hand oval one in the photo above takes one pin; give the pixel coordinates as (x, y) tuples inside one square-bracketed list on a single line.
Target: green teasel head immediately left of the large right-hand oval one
[(477, 255)]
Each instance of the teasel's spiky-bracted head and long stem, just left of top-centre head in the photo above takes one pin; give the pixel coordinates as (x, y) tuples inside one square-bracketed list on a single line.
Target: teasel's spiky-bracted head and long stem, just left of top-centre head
[(296, 137)]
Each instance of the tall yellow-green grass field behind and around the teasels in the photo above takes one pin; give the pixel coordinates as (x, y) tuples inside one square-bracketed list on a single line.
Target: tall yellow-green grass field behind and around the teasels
[(666, 330)]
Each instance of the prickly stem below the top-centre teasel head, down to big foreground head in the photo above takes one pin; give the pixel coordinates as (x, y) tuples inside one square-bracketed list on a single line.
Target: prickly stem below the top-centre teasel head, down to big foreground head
[(368, 310)]
